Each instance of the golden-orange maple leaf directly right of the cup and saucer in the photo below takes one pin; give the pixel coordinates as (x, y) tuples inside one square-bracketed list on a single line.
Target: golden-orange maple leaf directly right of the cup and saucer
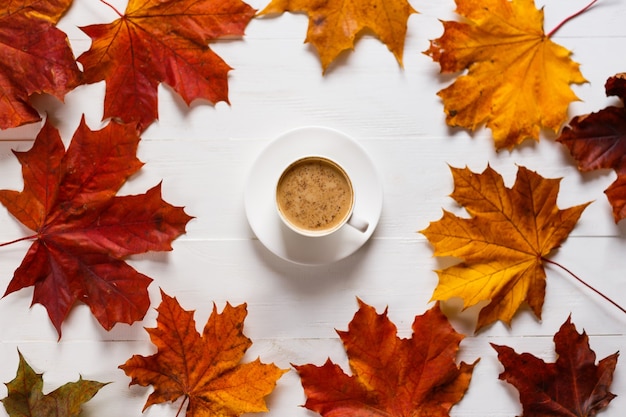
[(503, 245)]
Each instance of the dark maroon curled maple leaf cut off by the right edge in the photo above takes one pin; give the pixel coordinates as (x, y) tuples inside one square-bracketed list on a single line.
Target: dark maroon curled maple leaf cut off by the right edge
[(598, 140)]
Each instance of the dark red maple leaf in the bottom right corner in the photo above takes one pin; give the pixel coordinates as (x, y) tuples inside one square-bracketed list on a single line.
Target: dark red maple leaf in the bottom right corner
[(572, 386)]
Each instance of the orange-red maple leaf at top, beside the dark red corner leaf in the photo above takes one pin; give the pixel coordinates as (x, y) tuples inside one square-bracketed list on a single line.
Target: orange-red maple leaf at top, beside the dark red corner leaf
[(159, 41)]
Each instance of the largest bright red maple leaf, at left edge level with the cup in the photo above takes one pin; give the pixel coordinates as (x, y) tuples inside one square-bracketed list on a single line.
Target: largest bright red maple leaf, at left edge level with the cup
[(83, 231)]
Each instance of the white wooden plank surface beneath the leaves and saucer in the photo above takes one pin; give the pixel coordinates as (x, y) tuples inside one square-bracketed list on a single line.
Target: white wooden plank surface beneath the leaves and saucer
[(203, 155)]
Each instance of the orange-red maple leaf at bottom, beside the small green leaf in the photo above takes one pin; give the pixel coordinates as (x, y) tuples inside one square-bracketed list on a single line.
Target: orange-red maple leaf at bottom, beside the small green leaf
[(204, 369)]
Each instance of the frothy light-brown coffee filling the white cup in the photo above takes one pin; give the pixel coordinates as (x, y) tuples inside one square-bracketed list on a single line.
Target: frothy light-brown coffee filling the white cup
[(314, 194)]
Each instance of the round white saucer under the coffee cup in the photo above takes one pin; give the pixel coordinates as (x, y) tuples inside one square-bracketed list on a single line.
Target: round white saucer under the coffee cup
[(259, 197)]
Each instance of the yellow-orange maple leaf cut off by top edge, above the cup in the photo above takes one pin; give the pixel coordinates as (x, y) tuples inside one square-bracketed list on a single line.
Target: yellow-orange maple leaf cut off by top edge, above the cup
[(334, 26)]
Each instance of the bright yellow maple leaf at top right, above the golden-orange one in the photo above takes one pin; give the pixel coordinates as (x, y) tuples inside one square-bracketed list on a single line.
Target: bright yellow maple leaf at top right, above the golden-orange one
[(517, 79)]
